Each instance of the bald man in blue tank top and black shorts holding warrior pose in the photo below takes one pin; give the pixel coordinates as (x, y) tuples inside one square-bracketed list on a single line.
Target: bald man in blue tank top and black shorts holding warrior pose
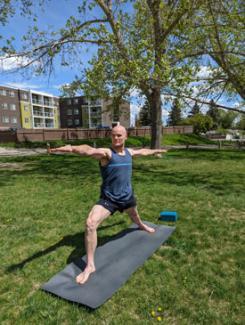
[(116, 188)]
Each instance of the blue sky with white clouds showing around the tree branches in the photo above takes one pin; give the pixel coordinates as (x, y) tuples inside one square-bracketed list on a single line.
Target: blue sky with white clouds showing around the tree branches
[(55, 14)]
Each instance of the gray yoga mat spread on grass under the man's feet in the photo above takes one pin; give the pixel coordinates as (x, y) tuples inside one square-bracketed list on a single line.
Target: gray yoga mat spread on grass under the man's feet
[(115, 261)]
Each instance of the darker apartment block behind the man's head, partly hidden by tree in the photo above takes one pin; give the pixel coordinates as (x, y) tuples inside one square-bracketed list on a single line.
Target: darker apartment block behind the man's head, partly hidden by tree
[(77, 112)]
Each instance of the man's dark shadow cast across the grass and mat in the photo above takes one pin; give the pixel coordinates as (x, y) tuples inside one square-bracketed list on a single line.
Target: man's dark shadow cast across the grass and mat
[(76, 241)]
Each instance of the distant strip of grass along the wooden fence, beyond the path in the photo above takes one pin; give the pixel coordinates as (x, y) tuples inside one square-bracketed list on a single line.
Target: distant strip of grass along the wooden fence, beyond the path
[(168, 139)]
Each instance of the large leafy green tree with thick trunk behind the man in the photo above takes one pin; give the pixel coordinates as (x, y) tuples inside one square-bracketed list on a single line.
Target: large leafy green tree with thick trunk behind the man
[(152, 45)]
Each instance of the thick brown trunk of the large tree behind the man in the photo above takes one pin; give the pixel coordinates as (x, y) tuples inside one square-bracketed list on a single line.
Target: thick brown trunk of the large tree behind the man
[(156, 115)]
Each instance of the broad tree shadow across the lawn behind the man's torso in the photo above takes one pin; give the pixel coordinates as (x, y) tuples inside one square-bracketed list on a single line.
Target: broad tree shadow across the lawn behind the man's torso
[(74, 167)]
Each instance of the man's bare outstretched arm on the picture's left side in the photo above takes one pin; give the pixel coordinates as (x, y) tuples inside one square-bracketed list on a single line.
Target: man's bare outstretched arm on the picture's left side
[(83, 150)]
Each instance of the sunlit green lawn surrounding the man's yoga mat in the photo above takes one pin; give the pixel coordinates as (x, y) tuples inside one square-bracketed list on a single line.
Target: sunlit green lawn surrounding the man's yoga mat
[(197, 277)]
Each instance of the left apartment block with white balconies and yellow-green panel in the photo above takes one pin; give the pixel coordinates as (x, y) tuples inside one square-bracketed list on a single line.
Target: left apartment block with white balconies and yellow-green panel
[(28, 109)]
